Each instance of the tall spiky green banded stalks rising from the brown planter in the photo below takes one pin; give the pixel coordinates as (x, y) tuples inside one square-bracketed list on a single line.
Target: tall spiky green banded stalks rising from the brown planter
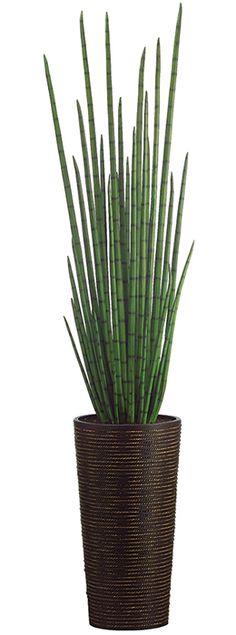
[(124, 297)]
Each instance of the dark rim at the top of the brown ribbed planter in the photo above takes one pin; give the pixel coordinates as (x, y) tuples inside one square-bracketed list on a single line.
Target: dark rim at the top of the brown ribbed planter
[(93, 422)]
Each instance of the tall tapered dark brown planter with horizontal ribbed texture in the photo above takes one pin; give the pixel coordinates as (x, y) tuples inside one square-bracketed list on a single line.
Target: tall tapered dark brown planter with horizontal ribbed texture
[(127, 478)]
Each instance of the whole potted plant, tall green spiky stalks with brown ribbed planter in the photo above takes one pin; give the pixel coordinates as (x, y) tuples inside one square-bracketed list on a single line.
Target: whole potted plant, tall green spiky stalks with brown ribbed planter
[(125, 299)]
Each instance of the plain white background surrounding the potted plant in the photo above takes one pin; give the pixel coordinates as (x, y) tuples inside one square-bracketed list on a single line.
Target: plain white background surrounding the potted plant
[(41, 570)]
